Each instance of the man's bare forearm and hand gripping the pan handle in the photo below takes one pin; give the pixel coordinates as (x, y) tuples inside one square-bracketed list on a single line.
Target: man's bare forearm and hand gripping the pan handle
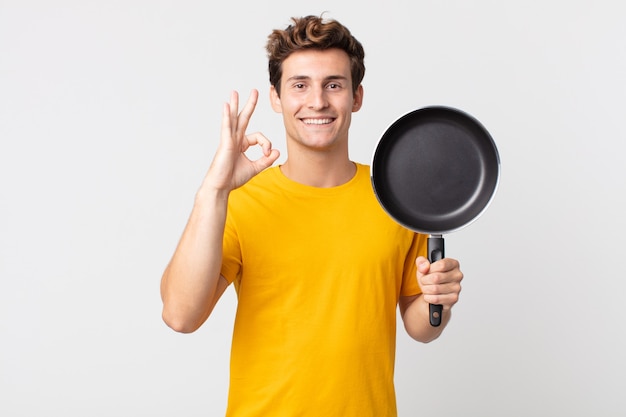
[(441, 284)]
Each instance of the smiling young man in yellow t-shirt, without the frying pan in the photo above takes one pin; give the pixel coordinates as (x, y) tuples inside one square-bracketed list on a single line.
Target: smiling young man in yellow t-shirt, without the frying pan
[(318, 266)]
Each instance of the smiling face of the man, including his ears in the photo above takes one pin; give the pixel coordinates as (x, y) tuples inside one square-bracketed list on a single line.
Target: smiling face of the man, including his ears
[(316, 98)]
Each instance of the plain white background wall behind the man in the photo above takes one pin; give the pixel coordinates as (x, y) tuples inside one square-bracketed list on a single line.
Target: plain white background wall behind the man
[(109, 117)]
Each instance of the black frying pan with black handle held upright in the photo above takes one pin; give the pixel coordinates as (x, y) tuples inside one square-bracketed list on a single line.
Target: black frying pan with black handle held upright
[(434, 171)]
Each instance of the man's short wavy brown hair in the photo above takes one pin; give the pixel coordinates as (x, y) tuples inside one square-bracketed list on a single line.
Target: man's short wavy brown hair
[(313, 32)]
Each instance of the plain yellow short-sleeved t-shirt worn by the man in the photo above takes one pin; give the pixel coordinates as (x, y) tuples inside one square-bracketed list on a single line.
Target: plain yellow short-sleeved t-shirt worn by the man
[(318, 273)]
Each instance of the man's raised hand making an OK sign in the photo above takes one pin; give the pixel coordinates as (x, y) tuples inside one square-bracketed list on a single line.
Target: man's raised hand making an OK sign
[(231, 168)]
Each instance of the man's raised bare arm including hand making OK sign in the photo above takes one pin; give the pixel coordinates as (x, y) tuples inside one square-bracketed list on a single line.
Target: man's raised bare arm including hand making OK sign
[(191, 284)]
